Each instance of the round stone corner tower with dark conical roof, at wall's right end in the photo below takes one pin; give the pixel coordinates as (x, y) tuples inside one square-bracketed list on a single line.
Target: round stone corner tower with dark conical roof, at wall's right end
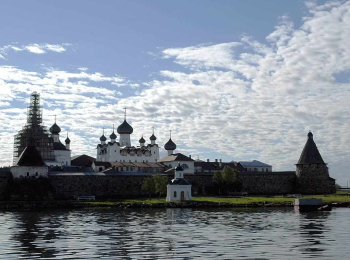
[(312, 172)]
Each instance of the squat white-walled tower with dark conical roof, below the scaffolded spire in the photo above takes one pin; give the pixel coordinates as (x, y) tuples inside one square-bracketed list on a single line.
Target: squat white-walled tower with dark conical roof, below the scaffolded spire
[(30, 164)]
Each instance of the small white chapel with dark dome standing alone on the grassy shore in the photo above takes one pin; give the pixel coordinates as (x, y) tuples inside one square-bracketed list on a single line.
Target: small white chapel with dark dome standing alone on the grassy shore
[(179, 189)]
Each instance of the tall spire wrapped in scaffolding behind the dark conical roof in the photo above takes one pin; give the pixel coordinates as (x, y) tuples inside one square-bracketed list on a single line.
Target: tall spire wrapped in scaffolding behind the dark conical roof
[(34, 133)]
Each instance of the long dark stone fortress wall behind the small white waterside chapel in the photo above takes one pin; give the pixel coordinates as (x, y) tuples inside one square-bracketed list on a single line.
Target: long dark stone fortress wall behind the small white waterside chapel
[(70, 186)]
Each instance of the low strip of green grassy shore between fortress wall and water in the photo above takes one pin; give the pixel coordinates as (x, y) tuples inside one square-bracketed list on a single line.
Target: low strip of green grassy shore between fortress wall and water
[(248, 201)]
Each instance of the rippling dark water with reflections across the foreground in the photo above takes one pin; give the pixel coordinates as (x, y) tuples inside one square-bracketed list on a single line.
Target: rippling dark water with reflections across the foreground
[(175, 234)]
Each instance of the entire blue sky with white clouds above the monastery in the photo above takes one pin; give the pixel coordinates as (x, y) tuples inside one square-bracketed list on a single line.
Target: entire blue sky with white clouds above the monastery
[(233, 80)]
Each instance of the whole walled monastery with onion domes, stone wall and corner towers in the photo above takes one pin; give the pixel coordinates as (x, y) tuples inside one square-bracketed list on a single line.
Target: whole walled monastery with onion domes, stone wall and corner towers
[(120, 167)]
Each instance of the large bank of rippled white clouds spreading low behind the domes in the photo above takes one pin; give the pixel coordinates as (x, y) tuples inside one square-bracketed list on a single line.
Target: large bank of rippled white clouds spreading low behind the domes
[(243, 100)]
